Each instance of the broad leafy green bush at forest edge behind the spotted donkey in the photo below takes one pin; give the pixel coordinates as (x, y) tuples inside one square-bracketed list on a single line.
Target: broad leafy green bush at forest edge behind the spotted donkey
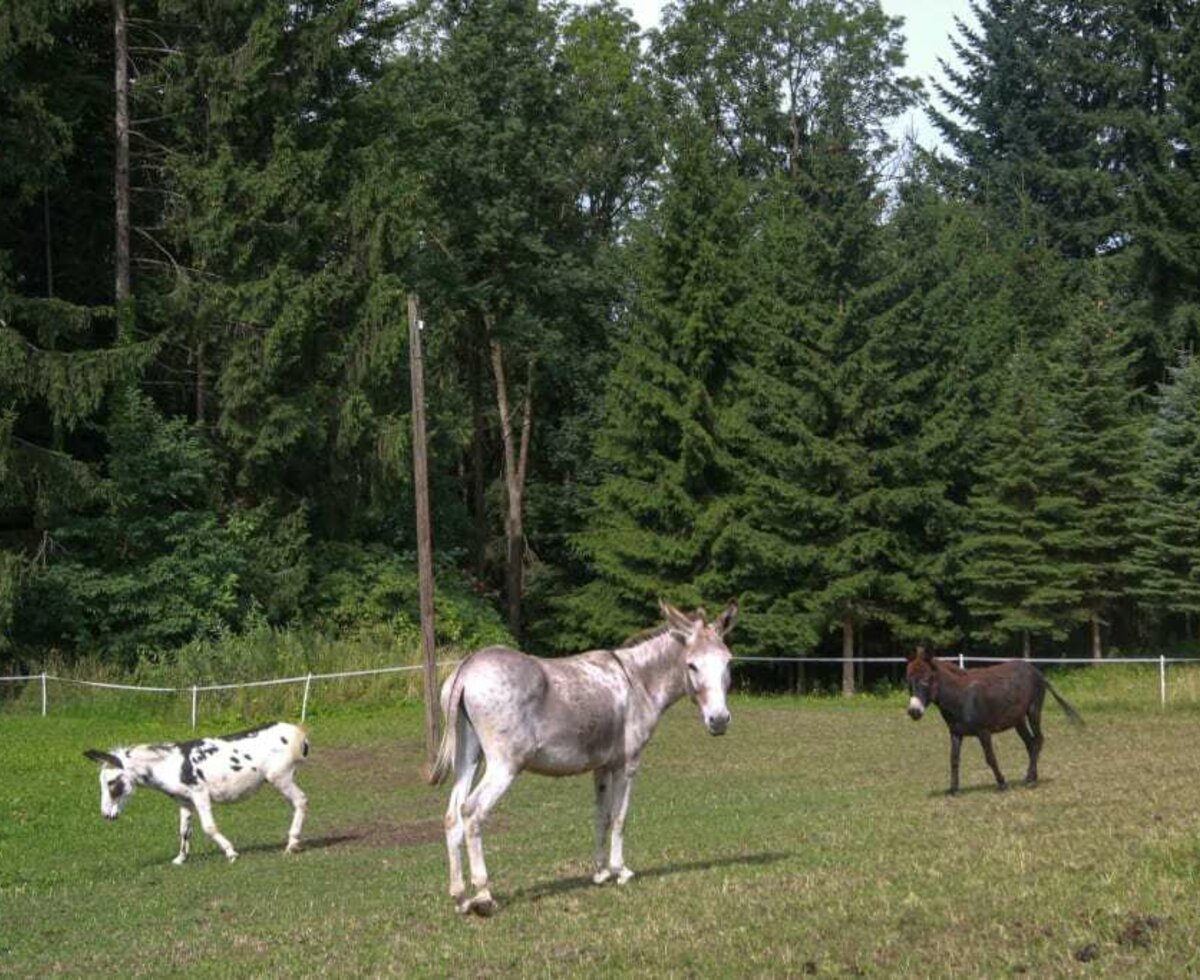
[(152, 567)]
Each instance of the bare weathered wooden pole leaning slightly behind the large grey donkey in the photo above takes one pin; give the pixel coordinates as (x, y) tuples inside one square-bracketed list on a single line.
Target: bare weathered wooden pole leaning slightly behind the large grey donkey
[(424, 531)]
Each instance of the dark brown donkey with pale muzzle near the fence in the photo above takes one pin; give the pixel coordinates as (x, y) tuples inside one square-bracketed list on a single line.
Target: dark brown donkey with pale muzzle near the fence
[(982, 701)]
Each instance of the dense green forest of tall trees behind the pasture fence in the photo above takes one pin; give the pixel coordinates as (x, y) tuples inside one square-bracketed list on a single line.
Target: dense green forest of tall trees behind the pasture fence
[(695, 326)]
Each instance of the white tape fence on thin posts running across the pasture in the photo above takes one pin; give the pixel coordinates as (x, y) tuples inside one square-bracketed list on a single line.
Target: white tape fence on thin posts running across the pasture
[(46, 680)]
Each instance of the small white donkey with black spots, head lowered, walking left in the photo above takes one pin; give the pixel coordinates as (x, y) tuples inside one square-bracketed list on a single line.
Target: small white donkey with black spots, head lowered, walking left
[(201, 773)]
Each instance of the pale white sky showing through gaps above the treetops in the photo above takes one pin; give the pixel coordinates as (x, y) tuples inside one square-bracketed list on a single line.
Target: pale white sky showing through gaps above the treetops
[(928, 28)]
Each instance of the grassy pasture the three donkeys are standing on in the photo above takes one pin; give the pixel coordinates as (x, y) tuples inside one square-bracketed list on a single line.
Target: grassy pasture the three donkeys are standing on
[(815, 838)]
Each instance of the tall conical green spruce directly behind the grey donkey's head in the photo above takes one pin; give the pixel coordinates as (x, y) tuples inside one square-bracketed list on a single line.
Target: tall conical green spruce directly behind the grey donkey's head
[(663, 500)]
